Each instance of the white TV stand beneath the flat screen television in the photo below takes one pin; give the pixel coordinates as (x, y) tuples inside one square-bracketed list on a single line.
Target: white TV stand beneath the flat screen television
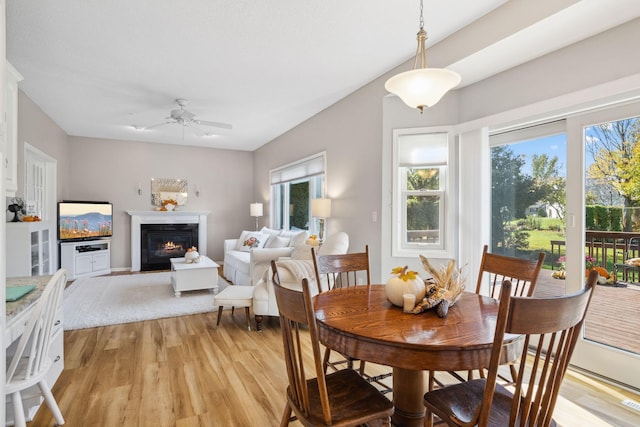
[(86, 258)]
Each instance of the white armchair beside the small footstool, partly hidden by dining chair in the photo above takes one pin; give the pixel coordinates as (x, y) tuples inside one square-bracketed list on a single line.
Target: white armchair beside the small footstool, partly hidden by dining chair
[(264, 299)]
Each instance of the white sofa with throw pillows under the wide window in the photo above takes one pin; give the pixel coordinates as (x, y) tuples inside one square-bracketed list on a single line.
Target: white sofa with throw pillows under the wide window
[(245, 264)]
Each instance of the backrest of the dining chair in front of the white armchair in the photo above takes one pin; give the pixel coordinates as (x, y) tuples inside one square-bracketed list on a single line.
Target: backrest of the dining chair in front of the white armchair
[(344, 270)]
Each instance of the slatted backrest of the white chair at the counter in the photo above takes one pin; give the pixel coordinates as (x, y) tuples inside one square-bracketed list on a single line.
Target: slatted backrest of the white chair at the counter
[(34, 344)]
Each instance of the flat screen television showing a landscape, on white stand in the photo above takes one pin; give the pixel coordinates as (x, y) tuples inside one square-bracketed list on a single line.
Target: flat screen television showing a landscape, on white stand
[(84, 220)]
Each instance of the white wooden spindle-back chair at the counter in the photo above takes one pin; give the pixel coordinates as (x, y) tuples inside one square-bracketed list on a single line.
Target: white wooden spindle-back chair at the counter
[(31, 362)]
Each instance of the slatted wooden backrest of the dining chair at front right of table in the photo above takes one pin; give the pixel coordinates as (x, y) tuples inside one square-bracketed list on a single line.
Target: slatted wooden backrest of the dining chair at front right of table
[(551, 328)]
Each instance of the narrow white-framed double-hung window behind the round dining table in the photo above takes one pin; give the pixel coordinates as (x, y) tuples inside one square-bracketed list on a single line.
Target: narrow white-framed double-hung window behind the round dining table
[(422, 192)]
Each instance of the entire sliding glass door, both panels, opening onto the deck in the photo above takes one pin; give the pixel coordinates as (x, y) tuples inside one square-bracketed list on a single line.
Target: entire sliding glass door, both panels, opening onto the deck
[(583, 210)]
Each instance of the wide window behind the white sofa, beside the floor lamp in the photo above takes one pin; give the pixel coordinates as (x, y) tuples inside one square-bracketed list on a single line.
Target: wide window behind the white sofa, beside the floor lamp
[(292, 188)]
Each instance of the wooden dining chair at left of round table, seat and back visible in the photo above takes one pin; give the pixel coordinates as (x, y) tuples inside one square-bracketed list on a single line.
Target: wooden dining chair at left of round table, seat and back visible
[(341, 398)]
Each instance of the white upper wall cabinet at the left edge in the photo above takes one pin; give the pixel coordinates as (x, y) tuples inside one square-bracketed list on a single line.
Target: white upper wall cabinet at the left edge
[(12, 77)]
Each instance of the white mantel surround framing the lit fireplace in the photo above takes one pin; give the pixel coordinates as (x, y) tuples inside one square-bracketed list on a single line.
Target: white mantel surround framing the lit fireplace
[(164, 217)]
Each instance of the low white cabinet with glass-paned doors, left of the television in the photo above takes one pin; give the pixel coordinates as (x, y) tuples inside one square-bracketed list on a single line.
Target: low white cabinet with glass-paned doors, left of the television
[(29, 248)]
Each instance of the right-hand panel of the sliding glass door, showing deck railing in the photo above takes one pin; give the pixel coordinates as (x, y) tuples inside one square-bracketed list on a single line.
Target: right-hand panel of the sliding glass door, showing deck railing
[(604, 197)]
